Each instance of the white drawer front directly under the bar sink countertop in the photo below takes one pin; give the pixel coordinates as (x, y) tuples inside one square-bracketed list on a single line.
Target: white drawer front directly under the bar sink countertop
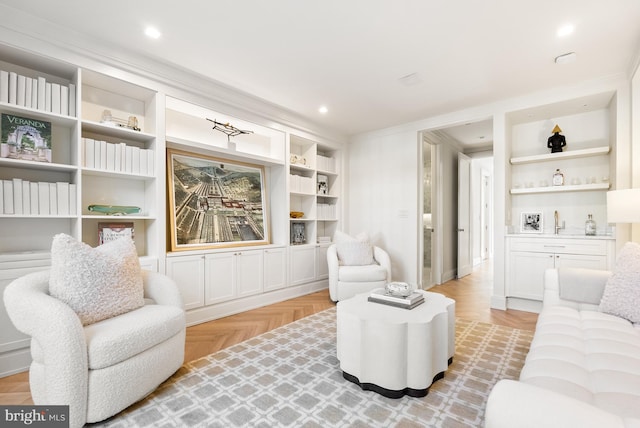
[(560, 245)]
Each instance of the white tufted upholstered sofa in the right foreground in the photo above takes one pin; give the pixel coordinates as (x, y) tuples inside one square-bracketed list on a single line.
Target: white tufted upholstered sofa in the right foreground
[(583, 367)]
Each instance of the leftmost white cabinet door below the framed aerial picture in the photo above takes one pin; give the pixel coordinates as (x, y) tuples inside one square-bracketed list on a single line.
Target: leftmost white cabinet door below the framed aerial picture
[(188, 273)]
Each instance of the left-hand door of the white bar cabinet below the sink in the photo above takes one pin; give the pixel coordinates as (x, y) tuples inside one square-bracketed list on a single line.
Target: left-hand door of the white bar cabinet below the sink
[(526, 274)]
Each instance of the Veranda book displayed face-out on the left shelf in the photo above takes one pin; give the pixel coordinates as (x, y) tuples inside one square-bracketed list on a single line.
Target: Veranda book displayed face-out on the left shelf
[(25, 139)]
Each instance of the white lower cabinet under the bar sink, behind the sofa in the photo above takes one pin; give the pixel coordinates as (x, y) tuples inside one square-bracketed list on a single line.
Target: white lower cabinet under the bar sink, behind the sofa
[(528, 258)]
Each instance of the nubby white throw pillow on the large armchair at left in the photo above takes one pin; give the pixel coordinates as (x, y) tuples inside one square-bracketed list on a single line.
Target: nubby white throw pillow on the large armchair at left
[(97, 283)]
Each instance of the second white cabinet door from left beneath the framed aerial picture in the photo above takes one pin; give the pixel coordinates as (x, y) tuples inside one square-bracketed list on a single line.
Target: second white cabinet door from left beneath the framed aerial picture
[(220, 278)]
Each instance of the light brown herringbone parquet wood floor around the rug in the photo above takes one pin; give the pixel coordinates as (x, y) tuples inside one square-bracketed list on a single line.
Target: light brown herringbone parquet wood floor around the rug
[(472, 294)]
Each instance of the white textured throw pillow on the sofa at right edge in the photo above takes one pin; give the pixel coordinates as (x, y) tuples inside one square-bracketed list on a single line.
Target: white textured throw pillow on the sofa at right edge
[(621, 295)]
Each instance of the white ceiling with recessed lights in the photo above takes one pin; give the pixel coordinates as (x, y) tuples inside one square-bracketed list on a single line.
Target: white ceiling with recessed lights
[(351, 55)]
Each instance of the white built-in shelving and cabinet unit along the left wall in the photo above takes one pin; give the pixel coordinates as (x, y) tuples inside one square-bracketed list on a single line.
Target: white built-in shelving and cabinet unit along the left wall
[(100, 163)]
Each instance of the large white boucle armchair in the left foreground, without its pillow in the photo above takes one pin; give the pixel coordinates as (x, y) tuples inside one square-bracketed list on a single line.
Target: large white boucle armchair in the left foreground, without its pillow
[(104, 367)]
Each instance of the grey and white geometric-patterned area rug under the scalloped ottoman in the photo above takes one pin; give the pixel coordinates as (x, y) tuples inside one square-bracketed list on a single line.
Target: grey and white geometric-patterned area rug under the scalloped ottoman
[(290, 377)]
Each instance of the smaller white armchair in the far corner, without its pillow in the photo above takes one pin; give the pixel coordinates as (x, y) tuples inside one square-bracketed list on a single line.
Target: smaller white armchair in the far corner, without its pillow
[(346, 281)]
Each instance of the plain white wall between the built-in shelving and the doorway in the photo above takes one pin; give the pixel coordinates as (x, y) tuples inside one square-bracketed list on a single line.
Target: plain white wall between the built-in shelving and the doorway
[(383, 197)]
